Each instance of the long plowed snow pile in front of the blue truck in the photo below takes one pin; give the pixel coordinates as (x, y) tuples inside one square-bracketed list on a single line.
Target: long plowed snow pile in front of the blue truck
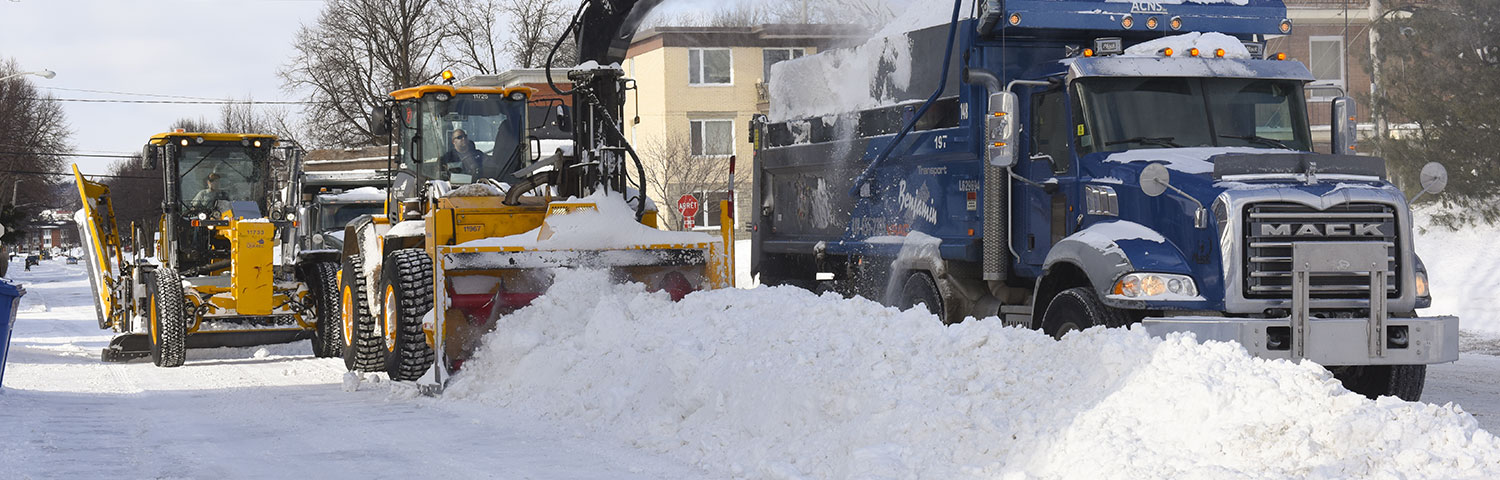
[(778, 383)]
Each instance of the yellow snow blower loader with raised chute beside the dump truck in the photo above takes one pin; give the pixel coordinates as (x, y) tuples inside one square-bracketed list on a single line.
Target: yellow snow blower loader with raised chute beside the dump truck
[(478, 223)]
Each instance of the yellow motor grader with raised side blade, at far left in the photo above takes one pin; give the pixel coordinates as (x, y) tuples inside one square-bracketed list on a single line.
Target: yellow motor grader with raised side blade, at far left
[(221, 271)]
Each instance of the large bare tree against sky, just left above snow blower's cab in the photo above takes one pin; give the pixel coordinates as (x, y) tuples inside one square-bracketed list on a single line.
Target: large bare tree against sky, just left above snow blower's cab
[(355, 56)]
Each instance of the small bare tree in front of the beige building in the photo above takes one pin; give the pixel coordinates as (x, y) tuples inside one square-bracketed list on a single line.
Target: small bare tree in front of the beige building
[(674, 170)]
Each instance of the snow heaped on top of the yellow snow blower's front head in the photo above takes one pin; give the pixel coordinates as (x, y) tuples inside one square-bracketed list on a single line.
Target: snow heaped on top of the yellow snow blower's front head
[(611, 227)]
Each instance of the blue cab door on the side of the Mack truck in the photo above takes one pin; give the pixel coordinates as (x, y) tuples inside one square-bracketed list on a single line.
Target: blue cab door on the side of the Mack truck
[(1043, 211)]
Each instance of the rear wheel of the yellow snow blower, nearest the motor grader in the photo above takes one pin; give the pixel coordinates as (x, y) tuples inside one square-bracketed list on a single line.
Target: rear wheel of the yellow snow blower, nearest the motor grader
[(364, 350)]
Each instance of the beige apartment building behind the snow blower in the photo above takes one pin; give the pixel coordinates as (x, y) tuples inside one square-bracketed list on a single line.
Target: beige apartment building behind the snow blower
[(695, 92)]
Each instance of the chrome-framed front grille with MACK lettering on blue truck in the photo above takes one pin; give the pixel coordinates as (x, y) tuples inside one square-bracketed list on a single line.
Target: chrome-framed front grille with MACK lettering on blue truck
[(1273, 227)]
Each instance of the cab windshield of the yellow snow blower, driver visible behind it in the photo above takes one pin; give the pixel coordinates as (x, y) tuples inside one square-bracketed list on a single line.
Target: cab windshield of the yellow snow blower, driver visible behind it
[(472, 137)]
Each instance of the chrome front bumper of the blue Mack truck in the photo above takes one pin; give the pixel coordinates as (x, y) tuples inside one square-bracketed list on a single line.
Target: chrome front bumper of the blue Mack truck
[(1327, 341)]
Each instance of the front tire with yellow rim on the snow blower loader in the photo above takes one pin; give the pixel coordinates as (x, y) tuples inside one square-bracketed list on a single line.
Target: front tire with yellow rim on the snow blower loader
[(406, 298)]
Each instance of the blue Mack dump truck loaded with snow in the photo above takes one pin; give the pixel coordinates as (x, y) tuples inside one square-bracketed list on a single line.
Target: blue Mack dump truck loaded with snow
[(1064, 164)]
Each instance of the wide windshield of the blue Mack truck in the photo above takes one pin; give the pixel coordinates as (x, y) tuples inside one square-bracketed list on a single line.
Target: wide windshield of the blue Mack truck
[(1168, 113)]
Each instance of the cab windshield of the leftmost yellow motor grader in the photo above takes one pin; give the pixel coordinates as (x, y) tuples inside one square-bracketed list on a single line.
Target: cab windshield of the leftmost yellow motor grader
[(212, 175)]
